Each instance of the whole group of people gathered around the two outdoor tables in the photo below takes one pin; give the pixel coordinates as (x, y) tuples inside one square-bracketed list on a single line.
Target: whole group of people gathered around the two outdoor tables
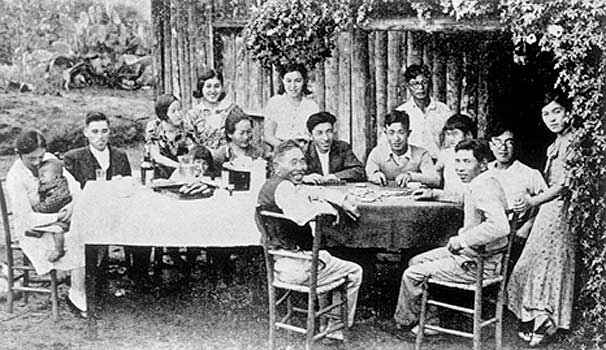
[(423, 142)]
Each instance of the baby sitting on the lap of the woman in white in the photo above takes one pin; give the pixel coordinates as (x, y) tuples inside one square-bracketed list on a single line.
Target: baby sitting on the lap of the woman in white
[(54, 194)]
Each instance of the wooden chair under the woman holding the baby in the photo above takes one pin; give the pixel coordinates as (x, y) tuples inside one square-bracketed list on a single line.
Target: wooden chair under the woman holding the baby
[(25, 271)]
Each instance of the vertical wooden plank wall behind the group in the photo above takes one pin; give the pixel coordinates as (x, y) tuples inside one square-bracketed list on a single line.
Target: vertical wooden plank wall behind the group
[(359, 84)]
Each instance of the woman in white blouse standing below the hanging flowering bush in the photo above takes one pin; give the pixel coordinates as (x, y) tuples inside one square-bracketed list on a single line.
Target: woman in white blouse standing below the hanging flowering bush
[(287, 112)]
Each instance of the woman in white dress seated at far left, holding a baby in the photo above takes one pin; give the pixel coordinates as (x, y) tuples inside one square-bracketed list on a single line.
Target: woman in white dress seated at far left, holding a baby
[(22, 182)]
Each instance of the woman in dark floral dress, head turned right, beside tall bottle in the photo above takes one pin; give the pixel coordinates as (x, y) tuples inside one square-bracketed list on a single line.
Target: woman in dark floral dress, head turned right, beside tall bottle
[(166, 136)]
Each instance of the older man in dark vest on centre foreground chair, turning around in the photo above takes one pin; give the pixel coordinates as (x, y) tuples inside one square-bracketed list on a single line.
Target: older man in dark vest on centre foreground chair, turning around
[(285, 193)]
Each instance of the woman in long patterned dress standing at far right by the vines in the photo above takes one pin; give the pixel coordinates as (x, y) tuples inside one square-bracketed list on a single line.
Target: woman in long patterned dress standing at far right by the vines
[(540, 290)]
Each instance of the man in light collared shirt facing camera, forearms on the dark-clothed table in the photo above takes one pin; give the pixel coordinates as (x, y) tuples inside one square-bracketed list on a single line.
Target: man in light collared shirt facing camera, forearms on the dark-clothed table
[(399, 161)]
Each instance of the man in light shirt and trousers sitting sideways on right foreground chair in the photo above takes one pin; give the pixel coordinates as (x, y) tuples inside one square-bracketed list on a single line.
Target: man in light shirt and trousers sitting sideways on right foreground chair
[(485, 223)]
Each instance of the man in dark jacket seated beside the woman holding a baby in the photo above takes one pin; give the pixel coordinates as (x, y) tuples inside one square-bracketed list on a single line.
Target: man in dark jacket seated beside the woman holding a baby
[(84, 162)]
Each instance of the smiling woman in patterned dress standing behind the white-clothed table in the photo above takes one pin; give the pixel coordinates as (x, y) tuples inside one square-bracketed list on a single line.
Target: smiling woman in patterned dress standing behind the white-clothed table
[(207, 118)]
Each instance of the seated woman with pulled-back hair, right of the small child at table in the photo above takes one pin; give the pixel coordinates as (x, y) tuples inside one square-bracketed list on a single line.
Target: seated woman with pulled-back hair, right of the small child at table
[(238, 131)]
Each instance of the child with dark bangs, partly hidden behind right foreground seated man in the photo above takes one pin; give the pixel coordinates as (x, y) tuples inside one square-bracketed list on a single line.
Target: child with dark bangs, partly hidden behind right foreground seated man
[(457, 128)]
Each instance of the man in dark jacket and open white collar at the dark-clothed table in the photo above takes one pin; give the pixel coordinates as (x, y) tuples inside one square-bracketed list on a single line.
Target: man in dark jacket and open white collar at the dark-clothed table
[(329, 160)]
